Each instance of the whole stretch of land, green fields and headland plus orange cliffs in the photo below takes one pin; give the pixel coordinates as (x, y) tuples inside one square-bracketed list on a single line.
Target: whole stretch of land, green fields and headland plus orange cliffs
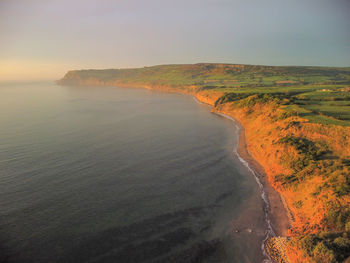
[(297, 123)]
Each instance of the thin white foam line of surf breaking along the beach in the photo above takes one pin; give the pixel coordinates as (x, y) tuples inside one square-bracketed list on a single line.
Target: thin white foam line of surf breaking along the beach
[(269, 232)]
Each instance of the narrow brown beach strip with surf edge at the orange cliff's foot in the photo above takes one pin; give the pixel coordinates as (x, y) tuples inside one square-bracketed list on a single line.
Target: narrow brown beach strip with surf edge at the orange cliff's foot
[(278, 217)]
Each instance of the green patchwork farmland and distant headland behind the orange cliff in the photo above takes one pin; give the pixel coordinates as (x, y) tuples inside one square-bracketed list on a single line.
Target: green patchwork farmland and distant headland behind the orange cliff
[(319, 94)]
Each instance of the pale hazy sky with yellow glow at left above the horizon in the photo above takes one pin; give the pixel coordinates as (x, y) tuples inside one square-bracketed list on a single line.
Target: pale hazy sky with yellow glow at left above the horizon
[(42, 39)]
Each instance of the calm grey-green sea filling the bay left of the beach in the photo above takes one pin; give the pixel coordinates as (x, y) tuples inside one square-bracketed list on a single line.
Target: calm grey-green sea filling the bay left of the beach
[(121, 175)]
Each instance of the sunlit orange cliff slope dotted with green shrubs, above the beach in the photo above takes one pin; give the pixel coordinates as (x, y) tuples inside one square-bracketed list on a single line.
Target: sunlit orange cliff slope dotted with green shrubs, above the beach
[(308, 163)]
